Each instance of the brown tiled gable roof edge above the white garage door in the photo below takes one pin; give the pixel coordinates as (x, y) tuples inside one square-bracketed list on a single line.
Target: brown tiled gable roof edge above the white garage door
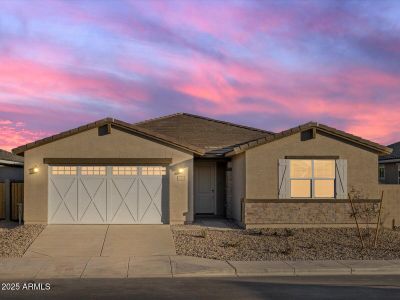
[(117, 123)]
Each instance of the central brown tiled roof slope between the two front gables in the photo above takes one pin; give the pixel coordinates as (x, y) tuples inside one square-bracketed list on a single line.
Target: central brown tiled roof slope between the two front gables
[(214, 137)]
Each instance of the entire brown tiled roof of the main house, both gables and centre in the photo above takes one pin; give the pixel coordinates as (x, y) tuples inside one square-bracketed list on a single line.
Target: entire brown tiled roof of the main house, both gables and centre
[(203, 136)]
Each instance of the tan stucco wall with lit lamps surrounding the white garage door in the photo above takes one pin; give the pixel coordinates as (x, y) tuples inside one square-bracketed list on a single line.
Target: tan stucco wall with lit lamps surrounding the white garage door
[(118, 144)]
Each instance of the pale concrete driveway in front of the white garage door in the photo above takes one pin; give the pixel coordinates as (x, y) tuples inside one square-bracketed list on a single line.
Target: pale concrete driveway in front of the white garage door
[(103, 240)]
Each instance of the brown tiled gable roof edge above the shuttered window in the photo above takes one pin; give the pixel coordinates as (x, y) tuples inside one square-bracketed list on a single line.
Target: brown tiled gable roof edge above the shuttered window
[(310, 125)]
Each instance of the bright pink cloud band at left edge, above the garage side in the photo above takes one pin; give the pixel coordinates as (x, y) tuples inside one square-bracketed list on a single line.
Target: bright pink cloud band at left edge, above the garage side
[(25, 78)]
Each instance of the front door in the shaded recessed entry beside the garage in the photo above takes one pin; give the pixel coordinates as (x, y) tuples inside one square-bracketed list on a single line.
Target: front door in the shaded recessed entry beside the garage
[(205, 182)]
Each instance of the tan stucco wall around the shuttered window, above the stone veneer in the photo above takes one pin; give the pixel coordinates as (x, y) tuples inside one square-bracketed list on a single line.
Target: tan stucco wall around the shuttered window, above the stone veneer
[(262, 164)]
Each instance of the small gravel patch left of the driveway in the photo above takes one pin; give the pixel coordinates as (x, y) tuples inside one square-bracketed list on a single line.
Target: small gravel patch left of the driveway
[(15, 239)]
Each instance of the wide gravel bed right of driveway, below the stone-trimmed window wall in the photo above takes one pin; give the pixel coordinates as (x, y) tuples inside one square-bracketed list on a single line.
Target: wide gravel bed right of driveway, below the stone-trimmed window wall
[(284, 244)]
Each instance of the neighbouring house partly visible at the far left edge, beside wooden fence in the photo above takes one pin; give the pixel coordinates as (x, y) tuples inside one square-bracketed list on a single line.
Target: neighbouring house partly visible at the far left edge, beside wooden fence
[(11, 170)]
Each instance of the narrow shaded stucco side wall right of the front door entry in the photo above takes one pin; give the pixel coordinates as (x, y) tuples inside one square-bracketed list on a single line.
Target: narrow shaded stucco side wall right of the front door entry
[(238, 185)]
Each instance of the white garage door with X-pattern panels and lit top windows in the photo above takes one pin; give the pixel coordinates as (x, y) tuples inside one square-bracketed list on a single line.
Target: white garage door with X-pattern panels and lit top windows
[(106, 194)]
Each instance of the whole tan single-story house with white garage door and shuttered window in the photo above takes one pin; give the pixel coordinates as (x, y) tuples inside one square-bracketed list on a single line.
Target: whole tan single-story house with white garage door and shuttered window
[(174, 168)]
